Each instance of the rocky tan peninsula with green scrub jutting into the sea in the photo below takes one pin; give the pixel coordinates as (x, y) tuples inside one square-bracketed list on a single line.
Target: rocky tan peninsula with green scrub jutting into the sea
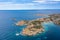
[(35, 26)]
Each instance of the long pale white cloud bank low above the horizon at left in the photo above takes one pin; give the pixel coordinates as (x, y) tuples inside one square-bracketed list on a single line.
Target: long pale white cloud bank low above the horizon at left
[(12, 6)]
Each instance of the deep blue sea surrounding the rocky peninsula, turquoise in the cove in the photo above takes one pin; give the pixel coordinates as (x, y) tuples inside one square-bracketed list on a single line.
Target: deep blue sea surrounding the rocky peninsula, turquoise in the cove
[(8, 29)]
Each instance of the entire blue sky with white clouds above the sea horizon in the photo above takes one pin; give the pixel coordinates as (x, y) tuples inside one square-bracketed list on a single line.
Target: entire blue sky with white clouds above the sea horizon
[(29, 4)]
